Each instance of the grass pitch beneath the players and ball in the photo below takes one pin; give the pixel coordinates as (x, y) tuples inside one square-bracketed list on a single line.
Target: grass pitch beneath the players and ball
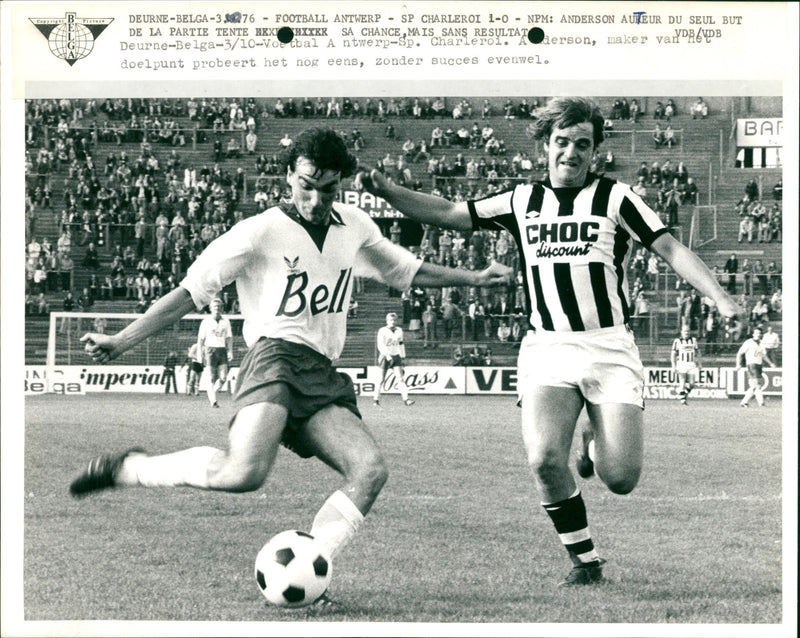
[(457, 536)]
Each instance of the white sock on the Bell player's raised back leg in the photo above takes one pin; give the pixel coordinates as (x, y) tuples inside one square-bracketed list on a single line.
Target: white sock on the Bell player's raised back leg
[(187, 467)]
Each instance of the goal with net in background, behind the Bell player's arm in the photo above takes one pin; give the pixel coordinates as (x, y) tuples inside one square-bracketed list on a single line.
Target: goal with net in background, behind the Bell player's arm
[(65, 349)]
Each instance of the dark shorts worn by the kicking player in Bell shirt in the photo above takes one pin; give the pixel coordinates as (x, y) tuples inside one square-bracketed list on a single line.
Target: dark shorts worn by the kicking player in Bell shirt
[(297, 377)]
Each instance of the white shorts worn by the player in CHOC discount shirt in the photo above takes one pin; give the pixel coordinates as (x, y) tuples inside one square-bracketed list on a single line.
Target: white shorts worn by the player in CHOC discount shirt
[(603, 365)]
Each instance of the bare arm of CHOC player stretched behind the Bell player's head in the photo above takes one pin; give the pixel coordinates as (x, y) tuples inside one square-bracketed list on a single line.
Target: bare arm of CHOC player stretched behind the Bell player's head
[(422, 207)]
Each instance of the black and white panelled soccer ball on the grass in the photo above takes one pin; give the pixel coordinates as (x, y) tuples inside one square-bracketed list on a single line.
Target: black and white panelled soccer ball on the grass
[(293, 569)]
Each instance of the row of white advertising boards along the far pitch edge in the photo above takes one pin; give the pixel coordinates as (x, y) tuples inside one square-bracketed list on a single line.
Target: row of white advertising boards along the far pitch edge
[(714, 382)]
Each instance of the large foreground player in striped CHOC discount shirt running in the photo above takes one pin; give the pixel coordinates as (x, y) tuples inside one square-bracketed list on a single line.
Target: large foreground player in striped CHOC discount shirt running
[(574, 232)]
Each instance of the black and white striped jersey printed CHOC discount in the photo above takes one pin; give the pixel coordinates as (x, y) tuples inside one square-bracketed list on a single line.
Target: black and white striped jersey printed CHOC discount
[(574, 245)]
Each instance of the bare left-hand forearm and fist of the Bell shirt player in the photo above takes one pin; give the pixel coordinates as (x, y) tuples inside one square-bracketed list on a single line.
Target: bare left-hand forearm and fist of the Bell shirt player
[(166, 311)]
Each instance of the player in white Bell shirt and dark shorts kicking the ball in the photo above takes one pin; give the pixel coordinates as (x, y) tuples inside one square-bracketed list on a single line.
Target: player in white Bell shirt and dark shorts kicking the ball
[(293, 266)]
